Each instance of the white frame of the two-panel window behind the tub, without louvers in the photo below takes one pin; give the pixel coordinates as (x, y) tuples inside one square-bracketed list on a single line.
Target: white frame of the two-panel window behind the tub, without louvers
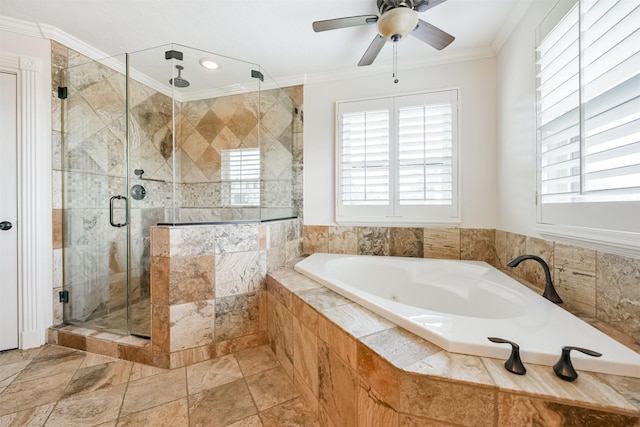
[(394, 212)]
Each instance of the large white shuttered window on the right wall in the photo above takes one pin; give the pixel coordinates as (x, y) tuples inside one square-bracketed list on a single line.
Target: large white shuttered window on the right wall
[(588, 86)]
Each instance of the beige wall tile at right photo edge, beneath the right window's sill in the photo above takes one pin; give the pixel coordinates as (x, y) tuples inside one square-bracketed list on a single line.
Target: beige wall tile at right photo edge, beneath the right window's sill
[(618, 292)]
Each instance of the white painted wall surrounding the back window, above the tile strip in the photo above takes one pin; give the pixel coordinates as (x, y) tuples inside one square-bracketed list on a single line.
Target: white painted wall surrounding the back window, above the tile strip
[(477, 84)]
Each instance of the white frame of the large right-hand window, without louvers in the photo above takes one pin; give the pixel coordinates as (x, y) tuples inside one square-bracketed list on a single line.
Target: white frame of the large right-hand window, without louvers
[(586, 220)]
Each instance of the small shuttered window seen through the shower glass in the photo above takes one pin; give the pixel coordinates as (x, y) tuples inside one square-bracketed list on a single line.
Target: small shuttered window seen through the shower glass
[(240, 172)]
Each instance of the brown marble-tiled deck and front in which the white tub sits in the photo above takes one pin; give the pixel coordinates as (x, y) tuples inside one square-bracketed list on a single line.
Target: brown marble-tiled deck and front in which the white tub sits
[(357, 369)]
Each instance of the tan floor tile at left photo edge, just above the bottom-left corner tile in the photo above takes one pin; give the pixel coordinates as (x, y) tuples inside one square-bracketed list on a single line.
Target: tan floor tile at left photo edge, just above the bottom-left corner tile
[(30, 394)]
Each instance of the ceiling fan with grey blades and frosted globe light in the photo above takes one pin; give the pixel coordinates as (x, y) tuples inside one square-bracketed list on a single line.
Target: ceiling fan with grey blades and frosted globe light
[(397, 19)]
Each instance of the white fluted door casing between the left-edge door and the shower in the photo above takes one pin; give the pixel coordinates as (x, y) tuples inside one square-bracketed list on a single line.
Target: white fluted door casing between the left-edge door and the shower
[(35, 273)]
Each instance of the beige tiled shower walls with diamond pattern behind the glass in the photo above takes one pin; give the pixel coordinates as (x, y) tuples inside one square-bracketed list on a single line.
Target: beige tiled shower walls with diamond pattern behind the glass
[(94, 117)]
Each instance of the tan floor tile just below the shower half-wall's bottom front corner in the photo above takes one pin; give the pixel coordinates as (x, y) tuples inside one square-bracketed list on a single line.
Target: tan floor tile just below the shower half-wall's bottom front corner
[(154, 390)]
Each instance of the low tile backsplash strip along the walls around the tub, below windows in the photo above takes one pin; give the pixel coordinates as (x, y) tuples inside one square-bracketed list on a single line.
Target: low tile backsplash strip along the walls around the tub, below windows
[(598, 287)]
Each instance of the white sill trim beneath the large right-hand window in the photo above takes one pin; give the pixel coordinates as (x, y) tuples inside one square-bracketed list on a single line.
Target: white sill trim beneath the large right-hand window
[(615, 242)]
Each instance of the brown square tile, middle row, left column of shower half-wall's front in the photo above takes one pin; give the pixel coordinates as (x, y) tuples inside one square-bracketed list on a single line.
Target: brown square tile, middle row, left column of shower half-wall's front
[(192, 279)]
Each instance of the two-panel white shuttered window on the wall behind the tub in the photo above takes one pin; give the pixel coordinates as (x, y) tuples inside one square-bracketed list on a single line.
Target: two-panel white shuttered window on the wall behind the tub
[(396, 159)]
